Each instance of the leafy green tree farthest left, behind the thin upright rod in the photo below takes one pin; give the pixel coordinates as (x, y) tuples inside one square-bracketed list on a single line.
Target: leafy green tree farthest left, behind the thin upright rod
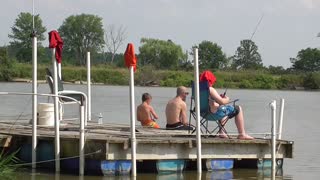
[(21, 43)]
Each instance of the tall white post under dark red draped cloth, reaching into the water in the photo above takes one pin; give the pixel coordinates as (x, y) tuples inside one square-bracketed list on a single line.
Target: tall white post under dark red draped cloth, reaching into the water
[(56, 112)]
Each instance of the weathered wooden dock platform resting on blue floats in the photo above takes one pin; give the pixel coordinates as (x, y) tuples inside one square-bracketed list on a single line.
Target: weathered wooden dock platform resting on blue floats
[(112, 142)]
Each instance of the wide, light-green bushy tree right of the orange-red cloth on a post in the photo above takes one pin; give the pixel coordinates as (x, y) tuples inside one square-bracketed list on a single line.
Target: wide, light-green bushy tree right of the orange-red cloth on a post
[(161, 54)]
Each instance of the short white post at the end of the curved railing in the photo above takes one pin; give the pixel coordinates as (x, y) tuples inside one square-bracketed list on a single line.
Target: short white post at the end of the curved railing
[(81, 143)]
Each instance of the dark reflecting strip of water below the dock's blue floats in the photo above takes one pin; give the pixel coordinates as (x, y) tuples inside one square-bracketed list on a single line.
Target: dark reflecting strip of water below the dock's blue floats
[(208, 175)]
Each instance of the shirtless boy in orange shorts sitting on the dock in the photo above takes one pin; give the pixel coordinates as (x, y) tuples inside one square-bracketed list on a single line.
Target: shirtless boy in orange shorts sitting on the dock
[(145, 112)]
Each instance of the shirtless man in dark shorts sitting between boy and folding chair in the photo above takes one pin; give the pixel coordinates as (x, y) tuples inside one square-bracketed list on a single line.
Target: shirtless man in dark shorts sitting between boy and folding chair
[(176, 111)]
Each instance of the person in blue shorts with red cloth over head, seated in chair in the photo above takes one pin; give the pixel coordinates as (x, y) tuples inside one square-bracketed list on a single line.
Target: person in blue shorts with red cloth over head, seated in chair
[(220, 109)]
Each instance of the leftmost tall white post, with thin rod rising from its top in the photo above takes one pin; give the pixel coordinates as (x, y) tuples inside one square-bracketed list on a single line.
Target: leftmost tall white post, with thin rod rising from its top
[(34, 101)]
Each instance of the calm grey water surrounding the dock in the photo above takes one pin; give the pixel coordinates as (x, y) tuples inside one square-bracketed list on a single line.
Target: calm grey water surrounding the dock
[(301, 123)]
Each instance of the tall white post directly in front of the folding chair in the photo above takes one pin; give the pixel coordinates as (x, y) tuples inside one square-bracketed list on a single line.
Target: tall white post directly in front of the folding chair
[(197, 105)]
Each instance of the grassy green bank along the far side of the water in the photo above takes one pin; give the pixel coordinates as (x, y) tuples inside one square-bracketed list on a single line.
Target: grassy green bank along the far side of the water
[(146, 76)]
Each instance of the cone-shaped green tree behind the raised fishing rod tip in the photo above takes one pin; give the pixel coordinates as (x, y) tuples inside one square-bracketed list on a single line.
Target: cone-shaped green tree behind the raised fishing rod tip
[(247, 56)]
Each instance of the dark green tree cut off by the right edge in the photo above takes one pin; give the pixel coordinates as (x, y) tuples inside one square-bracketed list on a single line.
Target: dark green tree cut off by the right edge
[(307, 60)]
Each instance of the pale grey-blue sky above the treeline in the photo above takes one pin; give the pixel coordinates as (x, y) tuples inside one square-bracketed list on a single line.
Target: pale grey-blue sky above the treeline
[(287, 26)]
